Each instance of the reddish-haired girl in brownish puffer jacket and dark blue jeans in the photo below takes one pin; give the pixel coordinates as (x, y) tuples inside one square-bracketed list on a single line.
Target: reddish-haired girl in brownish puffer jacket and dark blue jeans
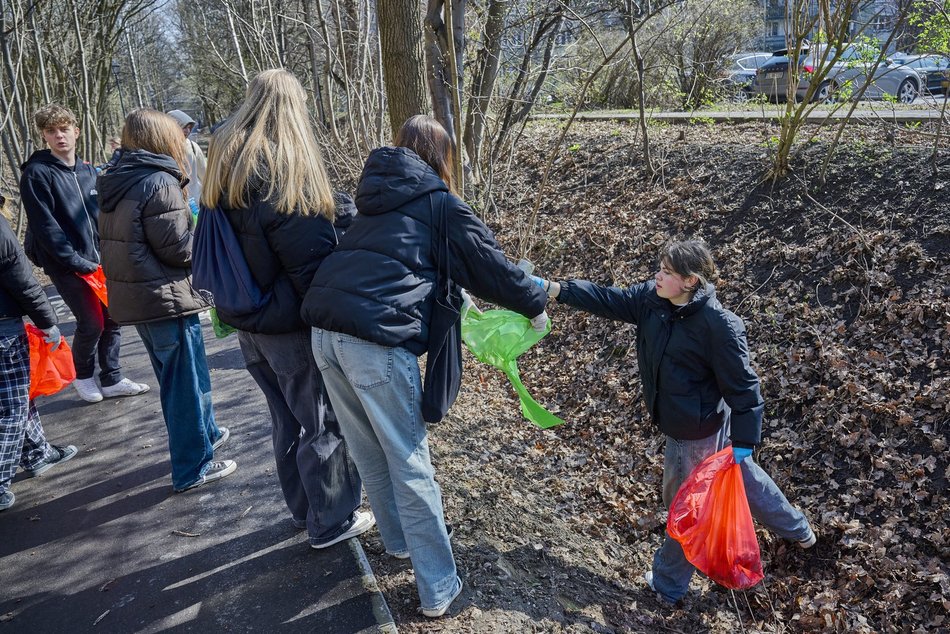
[(146, 232)]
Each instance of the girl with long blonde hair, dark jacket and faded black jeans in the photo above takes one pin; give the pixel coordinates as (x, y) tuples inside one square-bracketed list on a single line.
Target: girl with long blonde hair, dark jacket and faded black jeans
[(266, 175)]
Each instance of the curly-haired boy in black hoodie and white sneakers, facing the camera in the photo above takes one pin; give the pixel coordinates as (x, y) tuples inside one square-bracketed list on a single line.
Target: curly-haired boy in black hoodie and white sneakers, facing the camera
[(62, 236)]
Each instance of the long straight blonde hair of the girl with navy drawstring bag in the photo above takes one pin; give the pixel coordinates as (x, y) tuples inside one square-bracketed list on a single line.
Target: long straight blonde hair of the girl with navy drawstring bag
[(270, 140)]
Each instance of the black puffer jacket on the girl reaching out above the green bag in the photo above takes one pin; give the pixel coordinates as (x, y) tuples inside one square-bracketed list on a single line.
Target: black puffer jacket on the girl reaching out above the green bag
[(378, 283)]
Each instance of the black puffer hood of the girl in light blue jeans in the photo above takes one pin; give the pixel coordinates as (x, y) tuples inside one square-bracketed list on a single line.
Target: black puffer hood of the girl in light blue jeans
[(393, 177)]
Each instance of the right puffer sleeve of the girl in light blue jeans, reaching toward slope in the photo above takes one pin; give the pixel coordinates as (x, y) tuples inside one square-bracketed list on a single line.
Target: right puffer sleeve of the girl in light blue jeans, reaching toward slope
[(478, 264)]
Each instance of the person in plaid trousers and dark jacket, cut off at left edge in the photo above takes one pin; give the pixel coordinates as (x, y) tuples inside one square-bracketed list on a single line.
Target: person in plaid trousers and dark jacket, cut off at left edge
[(22, 441)]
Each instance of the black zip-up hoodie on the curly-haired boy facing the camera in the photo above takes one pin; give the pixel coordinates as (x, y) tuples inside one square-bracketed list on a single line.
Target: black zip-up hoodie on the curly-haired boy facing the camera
[(62, 212)]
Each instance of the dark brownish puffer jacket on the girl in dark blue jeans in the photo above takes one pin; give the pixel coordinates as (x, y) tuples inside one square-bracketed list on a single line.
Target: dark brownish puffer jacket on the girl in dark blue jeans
[(147, 233)]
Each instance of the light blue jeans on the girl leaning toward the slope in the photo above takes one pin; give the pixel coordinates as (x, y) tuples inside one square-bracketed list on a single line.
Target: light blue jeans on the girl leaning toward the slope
[(377, 394)]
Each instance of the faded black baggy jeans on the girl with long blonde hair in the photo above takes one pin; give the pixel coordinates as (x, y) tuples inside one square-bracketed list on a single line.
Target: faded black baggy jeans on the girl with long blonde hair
[(317, 476)]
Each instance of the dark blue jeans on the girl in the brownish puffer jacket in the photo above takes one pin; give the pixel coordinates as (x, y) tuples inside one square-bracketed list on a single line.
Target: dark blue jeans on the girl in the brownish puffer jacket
[(176, 348)]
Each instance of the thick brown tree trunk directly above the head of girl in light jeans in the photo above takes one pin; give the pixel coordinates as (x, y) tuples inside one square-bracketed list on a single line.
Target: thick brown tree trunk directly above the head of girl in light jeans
[(400, 22)]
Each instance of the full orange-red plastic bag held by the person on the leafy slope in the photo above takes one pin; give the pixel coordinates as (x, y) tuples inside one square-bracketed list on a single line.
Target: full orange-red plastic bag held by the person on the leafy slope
[(711, 520)]
